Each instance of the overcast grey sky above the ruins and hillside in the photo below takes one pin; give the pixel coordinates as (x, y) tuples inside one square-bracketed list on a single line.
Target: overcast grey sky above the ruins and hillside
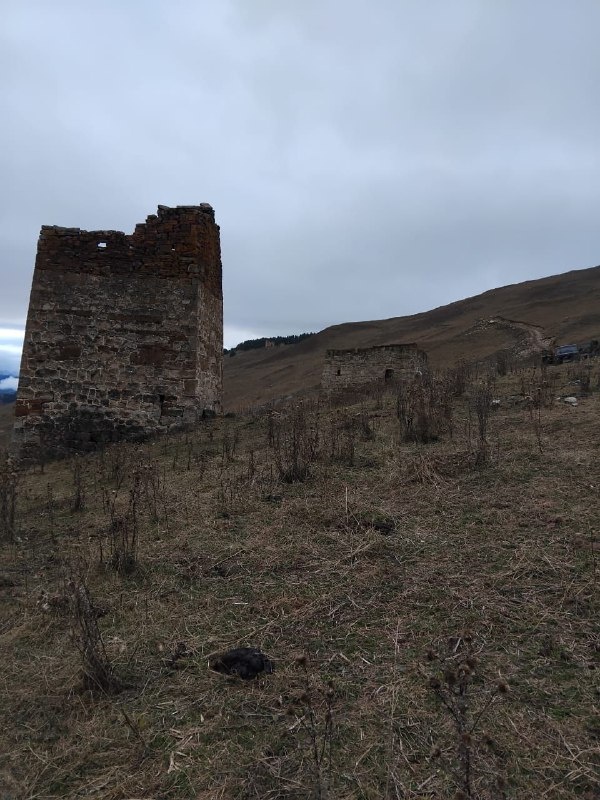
[(364, 159)]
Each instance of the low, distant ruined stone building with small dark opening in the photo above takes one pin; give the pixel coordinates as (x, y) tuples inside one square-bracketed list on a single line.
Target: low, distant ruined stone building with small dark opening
[(346, 369)]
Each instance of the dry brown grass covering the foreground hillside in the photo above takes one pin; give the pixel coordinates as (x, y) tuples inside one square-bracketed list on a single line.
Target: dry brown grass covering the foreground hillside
[(370, 584)]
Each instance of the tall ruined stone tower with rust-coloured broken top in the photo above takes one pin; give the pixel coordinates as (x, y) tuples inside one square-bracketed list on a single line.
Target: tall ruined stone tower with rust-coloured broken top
[(124, 334)]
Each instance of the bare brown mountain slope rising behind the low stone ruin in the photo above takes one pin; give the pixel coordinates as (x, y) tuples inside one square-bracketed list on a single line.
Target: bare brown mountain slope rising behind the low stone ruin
[(564, 307)]
